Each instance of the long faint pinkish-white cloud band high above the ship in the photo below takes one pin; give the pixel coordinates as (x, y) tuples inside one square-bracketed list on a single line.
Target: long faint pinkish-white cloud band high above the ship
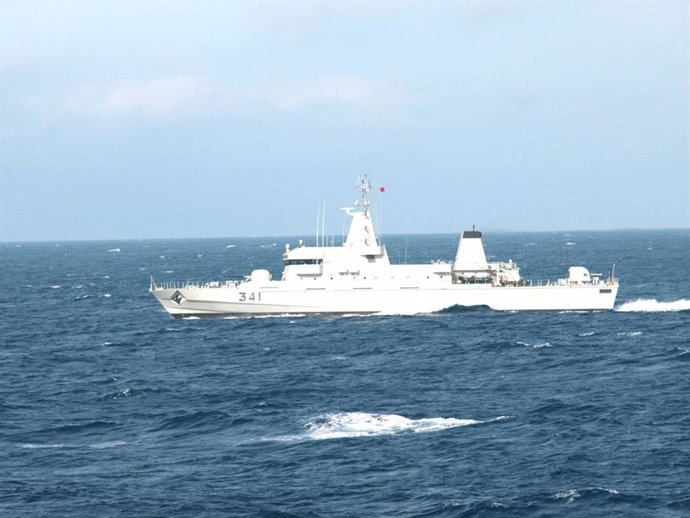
[(361, 98)]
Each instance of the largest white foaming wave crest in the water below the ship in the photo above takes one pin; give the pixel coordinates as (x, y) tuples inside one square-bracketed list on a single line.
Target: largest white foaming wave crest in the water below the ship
[(341, 425)]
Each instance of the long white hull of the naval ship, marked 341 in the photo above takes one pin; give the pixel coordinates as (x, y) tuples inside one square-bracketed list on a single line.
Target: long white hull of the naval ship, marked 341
[(247, 299)]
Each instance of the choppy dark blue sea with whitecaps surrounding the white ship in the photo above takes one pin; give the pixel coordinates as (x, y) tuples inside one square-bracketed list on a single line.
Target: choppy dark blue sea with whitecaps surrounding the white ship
[(110, 407)]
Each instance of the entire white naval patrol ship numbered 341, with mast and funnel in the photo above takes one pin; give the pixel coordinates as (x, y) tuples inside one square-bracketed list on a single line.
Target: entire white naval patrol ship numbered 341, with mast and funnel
[(358, 278)]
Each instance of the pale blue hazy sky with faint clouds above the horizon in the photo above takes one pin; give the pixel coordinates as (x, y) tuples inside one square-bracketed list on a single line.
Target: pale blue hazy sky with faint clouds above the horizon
[(164, 119)]
